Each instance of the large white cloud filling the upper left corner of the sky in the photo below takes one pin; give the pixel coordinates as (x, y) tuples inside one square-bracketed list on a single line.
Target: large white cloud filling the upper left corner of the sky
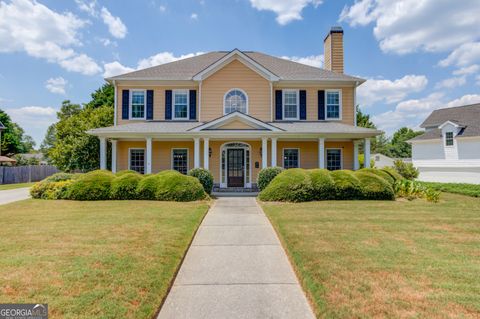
[(28, 26)]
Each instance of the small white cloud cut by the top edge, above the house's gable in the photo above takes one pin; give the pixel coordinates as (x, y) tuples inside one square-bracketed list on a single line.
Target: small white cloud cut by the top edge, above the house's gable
[(286, 10)]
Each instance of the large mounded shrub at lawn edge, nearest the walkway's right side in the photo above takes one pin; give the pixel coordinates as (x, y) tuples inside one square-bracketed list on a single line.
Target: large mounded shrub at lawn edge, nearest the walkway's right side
[(292, 185)]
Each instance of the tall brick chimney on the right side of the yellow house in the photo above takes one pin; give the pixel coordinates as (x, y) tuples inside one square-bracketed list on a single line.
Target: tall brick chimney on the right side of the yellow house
[(333, 50)]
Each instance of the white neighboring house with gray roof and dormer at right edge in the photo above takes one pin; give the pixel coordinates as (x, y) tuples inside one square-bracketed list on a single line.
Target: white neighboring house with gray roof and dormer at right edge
[(449, 150)]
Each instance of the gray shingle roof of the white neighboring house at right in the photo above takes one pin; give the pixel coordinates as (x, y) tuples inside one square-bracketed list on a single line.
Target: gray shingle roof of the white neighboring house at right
[(468, 117)]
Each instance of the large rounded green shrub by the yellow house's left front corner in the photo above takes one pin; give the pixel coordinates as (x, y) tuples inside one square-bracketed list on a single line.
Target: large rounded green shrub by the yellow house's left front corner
[(94, 185)]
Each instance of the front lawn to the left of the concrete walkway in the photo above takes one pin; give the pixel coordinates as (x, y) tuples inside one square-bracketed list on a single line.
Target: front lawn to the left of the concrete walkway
[(105, 259)]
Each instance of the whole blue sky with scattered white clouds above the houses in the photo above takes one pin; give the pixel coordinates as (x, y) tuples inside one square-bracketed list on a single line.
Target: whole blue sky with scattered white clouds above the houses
[(418, 55)]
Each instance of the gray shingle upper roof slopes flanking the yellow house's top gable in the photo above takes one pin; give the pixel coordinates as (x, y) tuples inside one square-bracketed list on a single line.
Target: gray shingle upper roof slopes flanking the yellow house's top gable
[(185, 69)]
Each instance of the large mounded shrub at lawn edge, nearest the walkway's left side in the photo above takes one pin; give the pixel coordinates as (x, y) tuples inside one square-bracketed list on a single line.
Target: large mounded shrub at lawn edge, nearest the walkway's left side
[(173, 186)]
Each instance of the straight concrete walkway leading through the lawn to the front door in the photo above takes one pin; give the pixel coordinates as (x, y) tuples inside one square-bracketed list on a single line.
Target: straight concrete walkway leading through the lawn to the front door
[(236, 268)]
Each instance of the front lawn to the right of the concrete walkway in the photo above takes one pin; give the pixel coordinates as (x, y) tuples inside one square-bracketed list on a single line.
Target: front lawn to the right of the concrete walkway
[(385, 259)]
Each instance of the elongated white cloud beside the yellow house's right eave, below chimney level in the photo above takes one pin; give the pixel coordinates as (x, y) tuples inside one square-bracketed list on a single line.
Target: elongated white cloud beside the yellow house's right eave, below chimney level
[(388, 91)]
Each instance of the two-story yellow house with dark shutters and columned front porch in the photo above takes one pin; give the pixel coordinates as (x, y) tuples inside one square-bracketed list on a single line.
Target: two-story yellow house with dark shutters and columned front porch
[(235, 113)]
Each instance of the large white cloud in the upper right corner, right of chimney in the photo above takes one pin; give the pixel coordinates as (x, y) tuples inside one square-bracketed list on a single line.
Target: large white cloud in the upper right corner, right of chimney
[(404, 26)]
